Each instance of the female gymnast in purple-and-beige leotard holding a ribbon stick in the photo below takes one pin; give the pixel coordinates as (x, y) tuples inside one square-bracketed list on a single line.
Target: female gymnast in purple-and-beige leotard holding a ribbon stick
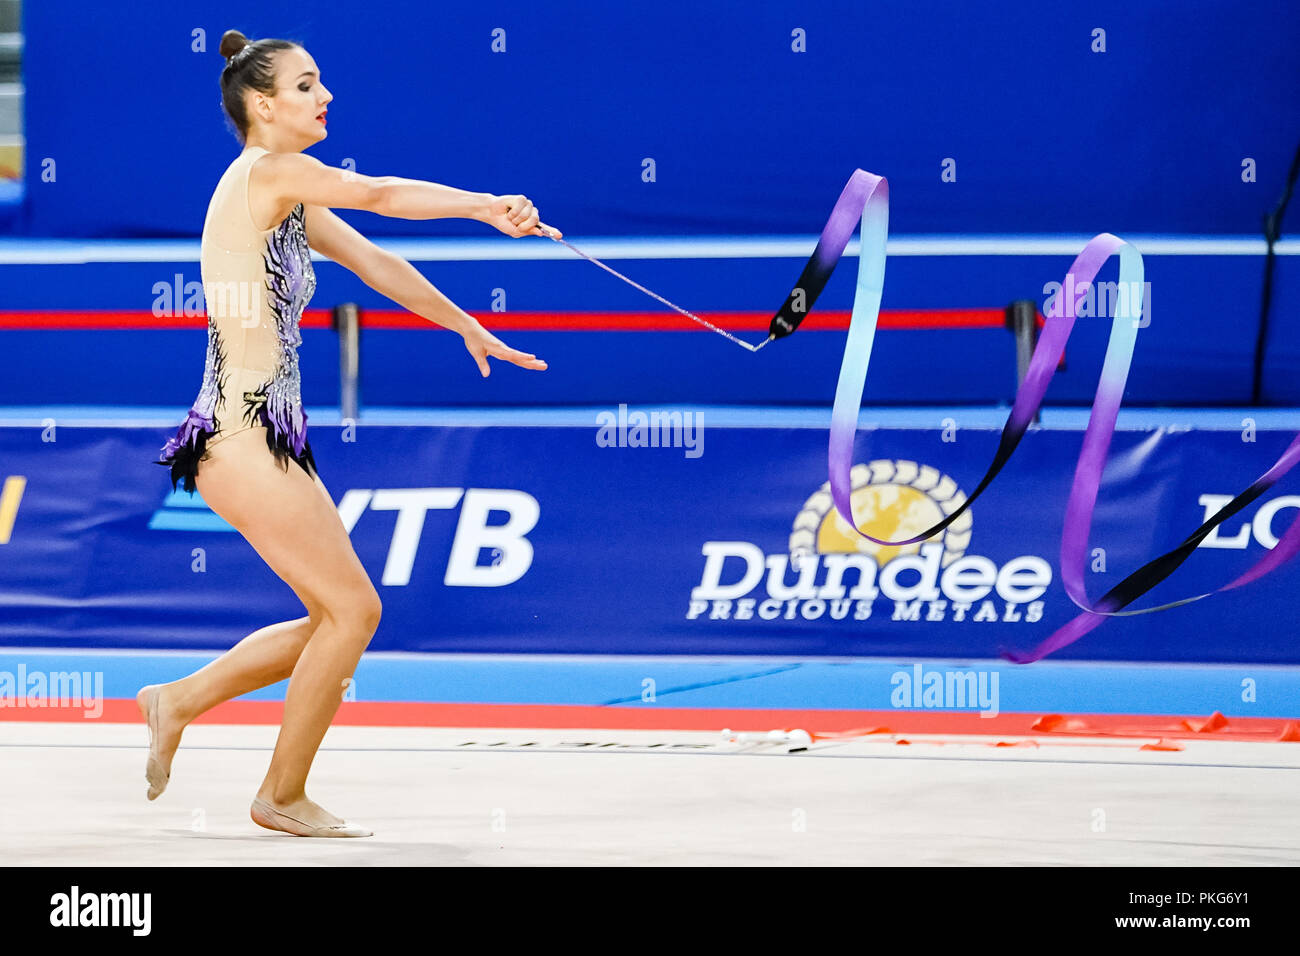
[(270, 209)]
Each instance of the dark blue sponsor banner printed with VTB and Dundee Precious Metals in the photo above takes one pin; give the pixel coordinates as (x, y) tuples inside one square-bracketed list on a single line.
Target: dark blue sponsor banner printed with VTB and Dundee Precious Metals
[(656, 534)]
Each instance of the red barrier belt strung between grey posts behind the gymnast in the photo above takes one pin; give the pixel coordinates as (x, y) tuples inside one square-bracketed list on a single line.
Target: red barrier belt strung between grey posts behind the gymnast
[(530, 322)]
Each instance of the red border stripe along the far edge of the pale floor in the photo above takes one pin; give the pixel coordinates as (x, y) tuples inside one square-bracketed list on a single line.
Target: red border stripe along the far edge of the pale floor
[(831, 724)]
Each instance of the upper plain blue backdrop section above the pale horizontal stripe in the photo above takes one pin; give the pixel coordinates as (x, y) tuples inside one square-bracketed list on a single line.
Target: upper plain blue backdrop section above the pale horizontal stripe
[(747, 135)]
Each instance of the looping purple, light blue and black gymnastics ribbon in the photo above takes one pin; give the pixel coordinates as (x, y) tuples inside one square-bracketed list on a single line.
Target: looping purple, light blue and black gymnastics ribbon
[(866, 198)]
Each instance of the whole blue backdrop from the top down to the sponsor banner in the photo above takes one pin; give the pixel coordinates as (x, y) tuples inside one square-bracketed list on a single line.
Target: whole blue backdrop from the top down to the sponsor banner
[(748, 137)]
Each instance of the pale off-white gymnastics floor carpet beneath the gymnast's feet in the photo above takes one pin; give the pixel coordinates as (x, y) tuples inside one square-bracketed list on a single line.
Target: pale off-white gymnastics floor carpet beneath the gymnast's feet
[(75, 795)]
